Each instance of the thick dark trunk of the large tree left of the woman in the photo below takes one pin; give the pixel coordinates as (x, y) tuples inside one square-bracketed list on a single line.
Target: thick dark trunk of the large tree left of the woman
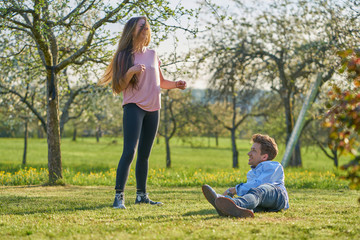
[(53, 133)]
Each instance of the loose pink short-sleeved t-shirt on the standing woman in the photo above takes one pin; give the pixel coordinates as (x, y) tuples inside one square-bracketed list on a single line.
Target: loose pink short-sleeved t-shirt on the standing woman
[(148, 93)]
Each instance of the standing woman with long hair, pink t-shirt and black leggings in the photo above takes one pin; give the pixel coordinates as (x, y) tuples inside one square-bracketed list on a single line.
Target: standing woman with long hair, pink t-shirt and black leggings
[(135, 71)]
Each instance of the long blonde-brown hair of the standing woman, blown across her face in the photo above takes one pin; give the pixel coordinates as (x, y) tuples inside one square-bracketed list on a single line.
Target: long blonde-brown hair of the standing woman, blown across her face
[(123, 58)]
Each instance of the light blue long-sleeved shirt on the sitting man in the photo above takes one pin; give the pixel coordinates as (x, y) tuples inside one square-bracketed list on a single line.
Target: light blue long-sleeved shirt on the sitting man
[(265, 172)]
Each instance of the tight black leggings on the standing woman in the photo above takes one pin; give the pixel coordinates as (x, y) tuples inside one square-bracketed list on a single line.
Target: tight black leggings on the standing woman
[(139, 126)]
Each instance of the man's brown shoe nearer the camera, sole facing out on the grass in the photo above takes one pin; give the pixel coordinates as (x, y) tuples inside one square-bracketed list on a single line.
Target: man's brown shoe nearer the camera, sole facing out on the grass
[(227, 206)]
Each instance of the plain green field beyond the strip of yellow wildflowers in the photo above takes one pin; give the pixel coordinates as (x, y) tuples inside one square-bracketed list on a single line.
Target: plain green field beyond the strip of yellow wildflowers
[(86, 155)]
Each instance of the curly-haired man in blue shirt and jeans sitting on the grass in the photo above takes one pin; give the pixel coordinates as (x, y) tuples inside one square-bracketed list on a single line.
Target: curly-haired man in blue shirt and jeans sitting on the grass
[(264, 189)]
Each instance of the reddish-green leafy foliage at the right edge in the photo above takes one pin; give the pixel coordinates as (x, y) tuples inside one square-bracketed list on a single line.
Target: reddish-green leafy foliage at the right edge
[(343, 118)]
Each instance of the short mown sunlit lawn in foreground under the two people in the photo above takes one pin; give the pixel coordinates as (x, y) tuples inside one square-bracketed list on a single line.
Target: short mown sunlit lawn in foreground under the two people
[(80, 212)]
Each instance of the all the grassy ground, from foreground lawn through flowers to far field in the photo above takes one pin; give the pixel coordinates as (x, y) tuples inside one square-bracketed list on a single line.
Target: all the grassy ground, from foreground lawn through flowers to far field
[(321, 204)]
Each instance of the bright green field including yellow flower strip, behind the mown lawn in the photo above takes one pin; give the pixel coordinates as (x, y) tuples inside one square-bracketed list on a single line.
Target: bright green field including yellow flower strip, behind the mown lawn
[(86, 163)]
